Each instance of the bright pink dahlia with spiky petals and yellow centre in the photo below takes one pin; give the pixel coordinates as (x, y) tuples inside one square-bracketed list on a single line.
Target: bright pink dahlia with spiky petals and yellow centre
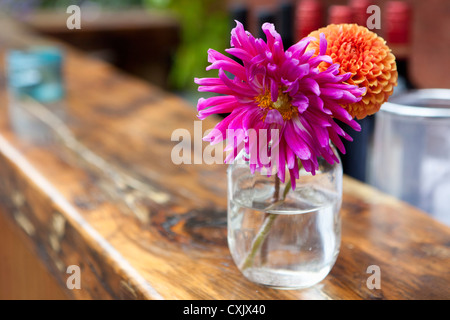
[(278, 89)]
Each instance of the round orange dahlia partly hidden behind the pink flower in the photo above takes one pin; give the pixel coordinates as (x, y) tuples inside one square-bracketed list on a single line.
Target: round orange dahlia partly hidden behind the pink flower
[(367, 57)]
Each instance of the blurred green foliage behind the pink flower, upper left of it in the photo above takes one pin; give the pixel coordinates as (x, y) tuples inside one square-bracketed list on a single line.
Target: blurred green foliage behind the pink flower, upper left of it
[(205, 24)]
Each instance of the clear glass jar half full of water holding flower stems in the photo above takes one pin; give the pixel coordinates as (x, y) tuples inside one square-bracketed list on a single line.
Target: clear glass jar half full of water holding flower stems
[(288, 243)]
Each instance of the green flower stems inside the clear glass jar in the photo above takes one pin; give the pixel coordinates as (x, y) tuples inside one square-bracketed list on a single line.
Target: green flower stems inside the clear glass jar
[(267, 224)]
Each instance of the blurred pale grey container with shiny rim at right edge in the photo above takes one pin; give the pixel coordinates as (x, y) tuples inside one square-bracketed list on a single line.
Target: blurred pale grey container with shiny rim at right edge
[(410, 157)]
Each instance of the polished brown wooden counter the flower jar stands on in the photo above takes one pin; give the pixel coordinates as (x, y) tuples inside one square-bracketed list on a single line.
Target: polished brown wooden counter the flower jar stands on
[(96, 187)]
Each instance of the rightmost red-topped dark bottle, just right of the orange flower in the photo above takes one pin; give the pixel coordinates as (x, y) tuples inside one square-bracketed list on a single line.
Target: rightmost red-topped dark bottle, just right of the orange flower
[(397, 35)]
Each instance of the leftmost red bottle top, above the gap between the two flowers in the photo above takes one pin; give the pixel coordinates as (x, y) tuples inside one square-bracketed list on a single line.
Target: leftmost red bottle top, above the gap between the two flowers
[(308, 18)]
